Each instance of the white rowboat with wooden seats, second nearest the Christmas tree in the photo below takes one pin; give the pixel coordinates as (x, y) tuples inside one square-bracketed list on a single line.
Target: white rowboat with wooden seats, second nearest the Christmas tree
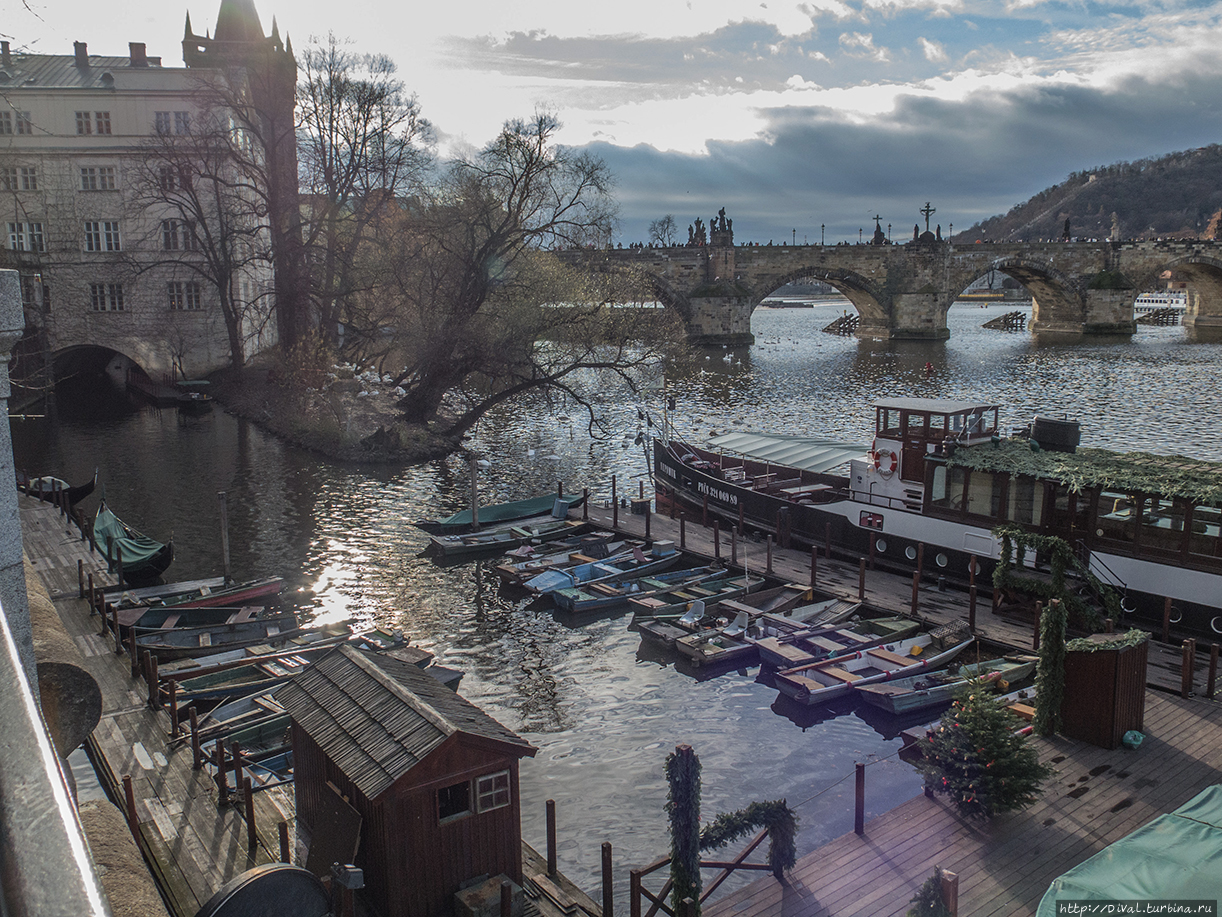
[(835, 678)]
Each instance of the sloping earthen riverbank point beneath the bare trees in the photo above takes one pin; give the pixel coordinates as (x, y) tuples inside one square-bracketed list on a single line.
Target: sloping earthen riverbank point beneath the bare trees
[(344, 420)]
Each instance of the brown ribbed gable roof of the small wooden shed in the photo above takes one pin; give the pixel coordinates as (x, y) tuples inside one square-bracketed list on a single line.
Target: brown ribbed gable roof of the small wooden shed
[(377, 717)]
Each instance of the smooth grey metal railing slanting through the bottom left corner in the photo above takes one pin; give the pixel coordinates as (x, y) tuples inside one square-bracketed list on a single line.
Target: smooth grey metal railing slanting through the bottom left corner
[(48, 870)]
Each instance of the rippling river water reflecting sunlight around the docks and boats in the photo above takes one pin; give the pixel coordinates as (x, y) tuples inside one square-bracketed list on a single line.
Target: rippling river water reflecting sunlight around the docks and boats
[(603, 711)]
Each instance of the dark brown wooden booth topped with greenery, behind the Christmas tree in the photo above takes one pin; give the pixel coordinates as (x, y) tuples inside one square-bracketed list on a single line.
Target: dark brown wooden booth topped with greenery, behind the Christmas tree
[(1105, 693)]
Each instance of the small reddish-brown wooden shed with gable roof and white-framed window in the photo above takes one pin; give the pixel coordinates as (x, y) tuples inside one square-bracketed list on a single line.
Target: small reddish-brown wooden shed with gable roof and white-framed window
[(433, 778)]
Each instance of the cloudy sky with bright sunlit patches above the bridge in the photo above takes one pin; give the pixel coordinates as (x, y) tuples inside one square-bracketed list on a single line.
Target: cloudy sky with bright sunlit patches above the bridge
[(788, 114)]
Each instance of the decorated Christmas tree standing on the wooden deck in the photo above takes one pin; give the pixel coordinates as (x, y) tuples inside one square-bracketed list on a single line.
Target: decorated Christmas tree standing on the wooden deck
[(976, 759)]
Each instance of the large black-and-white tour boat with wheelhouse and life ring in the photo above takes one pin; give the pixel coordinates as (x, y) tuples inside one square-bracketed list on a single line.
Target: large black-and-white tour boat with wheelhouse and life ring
[(939, 479)]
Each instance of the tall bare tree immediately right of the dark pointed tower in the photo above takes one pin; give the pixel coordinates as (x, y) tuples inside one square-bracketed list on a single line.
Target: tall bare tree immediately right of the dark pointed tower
[(362, 149)]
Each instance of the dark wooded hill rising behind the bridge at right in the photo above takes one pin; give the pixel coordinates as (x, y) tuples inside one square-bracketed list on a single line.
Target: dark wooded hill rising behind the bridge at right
[(1177, 196)]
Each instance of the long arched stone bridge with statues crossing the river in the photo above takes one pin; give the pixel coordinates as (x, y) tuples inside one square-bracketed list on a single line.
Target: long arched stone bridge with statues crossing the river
[(904, 292)]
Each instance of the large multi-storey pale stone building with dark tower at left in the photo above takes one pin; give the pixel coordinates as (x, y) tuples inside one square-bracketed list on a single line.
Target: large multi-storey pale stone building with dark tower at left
[(109, 226)]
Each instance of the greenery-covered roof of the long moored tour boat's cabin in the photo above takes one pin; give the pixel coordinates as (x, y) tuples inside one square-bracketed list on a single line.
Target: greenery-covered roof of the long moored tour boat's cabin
[(1126, 473)]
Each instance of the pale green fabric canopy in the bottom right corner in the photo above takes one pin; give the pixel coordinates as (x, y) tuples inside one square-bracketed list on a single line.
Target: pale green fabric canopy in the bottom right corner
[(1174, 858)]
